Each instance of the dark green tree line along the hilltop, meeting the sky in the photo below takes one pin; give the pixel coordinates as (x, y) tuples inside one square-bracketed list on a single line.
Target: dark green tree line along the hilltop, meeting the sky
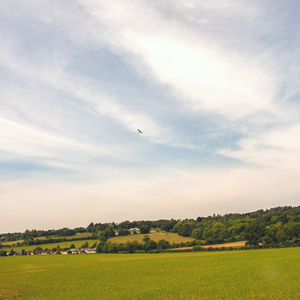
[(277, 225)]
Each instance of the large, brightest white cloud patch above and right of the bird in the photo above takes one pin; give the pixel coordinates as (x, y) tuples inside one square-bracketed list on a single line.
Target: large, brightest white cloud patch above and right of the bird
[(203, 74)]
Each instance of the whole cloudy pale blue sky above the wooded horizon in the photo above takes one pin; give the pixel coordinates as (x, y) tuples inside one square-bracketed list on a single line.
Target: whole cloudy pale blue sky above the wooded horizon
[(213, 86)]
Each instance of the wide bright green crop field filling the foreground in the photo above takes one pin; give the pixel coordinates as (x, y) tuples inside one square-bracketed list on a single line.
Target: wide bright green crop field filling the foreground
[(252, 274)]
